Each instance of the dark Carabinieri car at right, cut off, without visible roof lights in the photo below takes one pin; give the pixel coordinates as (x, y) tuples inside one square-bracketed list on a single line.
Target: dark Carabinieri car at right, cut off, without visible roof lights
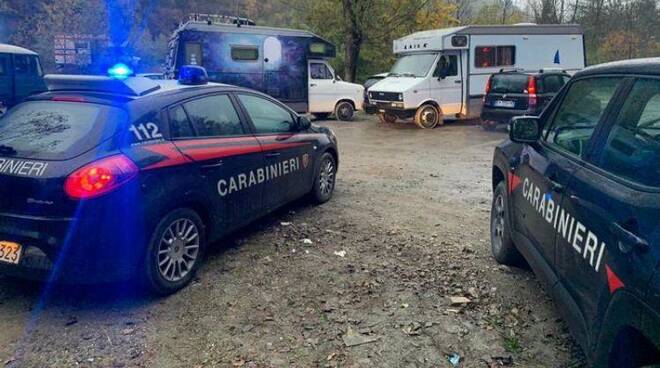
[(577, 195)]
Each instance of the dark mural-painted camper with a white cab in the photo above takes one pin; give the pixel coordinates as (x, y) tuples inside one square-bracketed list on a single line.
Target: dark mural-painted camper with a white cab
[(290, 65)]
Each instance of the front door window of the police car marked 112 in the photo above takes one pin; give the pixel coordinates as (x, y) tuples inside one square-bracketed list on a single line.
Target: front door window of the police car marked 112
[(267, 116)]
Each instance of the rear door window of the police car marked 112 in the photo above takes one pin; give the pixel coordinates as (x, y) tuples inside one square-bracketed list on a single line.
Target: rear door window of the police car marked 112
[(214, 116)]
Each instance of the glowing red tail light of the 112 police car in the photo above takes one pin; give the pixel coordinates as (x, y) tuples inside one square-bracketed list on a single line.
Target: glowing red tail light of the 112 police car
[(100, 177)]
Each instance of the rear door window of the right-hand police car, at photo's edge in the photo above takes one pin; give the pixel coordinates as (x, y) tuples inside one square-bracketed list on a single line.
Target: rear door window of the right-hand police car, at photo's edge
[(632, 149)]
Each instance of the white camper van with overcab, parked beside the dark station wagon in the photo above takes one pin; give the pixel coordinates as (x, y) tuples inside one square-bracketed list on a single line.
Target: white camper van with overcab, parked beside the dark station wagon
[(442, 74)]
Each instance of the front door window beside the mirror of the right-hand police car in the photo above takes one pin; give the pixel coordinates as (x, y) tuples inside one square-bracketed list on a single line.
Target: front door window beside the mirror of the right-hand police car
[(576, 117)]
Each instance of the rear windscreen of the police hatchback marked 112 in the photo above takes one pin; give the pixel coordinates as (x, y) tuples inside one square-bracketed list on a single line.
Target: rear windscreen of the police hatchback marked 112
[(52, 130)]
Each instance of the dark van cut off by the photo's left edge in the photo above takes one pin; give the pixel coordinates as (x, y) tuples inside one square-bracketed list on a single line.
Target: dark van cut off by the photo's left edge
[(20, 75)]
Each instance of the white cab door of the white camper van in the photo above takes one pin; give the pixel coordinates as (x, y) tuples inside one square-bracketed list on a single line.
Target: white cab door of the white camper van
[(446, 85)]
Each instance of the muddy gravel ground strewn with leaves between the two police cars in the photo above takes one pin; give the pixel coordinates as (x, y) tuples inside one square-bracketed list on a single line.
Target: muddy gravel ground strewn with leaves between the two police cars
[(406, 231)]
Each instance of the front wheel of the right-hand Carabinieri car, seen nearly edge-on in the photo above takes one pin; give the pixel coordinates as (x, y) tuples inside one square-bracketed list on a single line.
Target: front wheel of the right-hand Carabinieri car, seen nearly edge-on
[(502, 246)]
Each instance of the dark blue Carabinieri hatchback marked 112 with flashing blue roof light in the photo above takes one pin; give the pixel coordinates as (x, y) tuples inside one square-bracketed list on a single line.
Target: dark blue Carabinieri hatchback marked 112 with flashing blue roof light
[(106, 178)]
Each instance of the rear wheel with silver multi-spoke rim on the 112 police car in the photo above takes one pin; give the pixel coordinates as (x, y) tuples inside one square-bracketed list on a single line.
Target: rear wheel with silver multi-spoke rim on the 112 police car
[(175, 252)]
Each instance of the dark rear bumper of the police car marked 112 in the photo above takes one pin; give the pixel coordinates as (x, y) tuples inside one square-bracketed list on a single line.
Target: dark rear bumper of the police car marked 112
[(72, 250)]
